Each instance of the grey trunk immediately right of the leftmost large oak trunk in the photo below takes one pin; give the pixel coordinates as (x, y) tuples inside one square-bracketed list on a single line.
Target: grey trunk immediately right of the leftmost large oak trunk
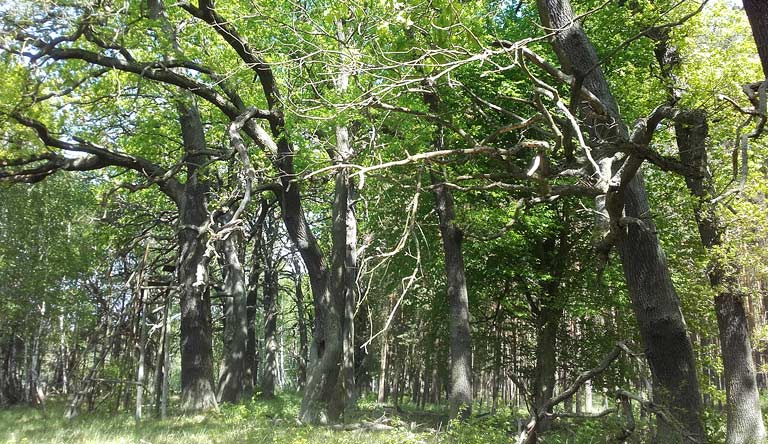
[(232, 373)]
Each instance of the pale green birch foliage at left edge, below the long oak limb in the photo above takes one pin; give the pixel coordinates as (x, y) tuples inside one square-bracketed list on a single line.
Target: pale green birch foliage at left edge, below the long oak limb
[(47, 248)]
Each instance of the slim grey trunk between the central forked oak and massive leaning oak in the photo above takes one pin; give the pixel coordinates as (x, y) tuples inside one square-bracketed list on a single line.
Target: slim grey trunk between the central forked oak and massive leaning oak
[(458, 303)]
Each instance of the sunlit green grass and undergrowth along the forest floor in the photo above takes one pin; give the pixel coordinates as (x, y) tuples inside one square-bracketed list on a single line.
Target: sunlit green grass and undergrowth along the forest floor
[(274, 422)]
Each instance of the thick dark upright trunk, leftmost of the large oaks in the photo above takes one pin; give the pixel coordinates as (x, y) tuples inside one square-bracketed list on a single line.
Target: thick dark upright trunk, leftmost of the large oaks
[(196, 348)]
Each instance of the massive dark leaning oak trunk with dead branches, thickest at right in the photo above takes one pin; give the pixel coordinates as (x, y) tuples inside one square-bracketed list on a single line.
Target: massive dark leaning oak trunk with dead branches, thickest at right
[(654, 300)]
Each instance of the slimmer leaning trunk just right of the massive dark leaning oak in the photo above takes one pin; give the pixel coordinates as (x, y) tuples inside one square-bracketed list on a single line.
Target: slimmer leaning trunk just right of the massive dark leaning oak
[(745, 421)]
